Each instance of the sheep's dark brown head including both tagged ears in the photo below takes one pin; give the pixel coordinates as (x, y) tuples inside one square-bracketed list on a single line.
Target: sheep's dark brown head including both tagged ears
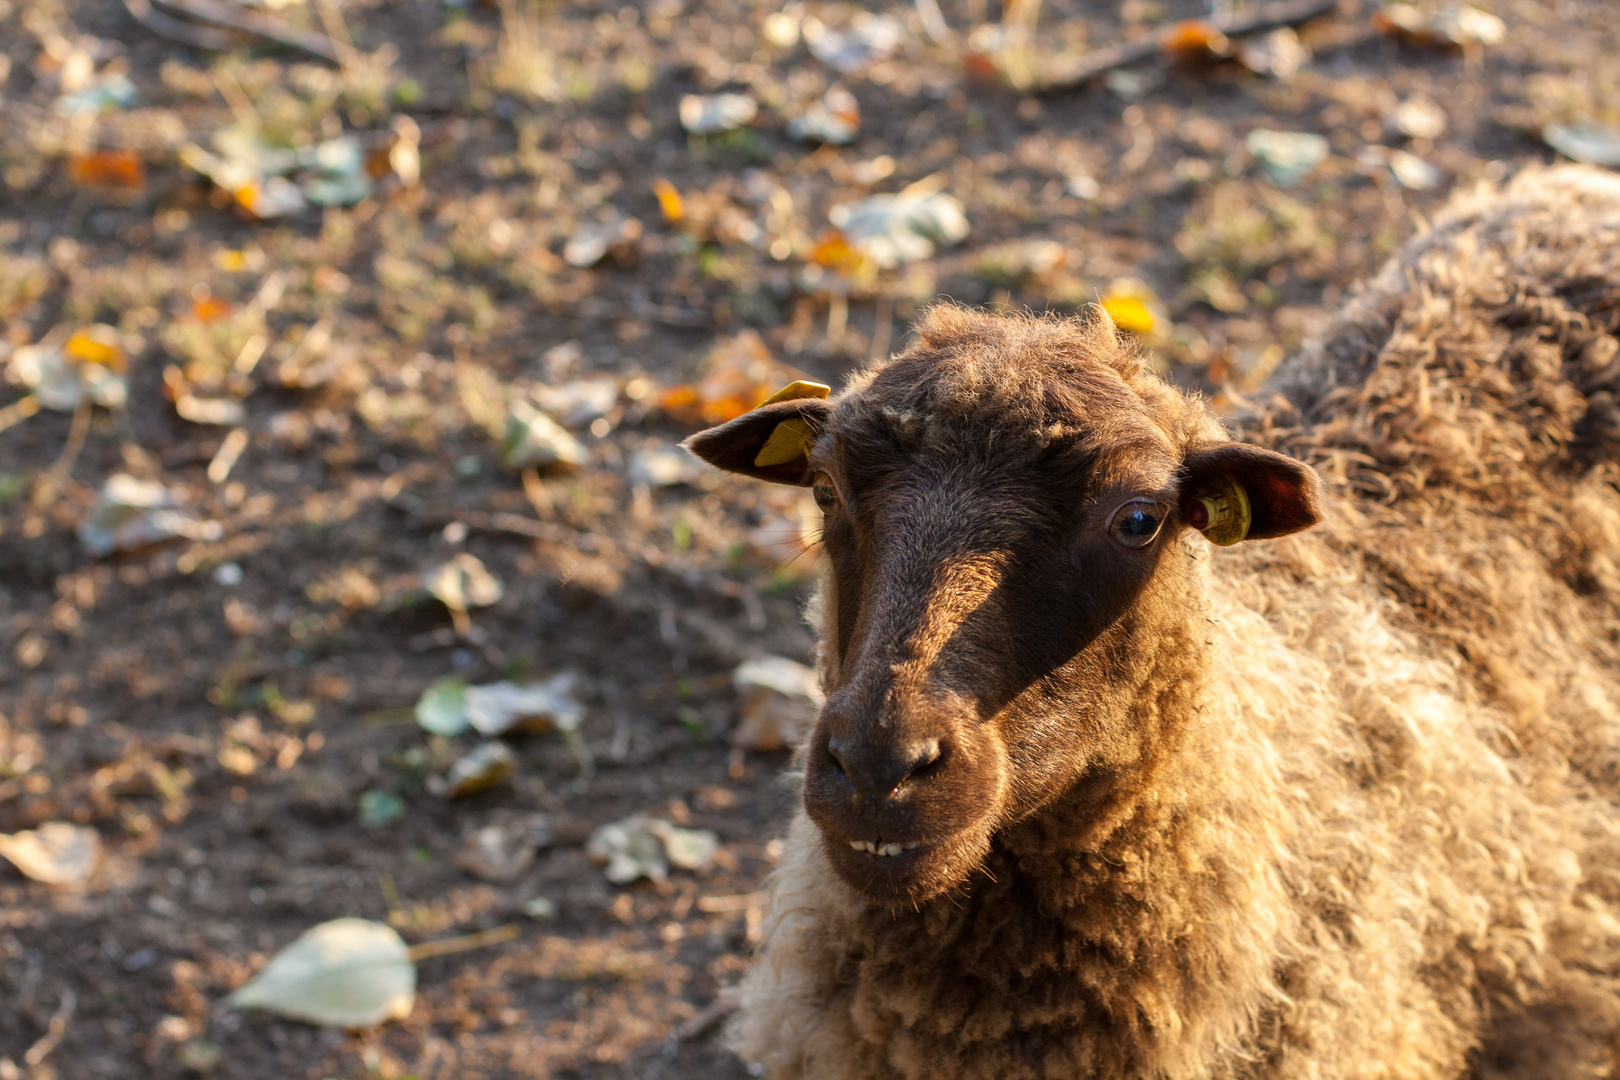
[(1005, 516)]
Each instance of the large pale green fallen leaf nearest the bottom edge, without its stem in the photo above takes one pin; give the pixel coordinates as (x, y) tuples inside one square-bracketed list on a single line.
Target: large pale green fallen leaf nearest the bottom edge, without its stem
[(344, 974)]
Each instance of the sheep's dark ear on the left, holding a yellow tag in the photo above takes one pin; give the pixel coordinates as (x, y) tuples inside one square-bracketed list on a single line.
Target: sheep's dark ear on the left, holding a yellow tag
[(774, 441)]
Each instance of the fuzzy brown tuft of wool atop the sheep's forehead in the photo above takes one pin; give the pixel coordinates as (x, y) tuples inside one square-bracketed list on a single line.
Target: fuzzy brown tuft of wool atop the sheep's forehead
[(1030, 378)]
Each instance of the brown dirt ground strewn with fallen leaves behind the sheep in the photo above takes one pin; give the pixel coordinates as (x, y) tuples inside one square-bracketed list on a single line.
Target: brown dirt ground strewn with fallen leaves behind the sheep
[(216, 707)]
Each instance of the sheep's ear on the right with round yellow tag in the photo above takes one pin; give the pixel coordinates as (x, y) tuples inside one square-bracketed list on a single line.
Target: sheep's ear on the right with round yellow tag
[(1234, 491)]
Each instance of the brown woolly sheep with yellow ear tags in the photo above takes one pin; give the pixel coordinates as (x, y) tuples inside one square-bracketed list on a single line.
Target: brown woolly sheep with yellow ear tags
[(1091, 799)]
